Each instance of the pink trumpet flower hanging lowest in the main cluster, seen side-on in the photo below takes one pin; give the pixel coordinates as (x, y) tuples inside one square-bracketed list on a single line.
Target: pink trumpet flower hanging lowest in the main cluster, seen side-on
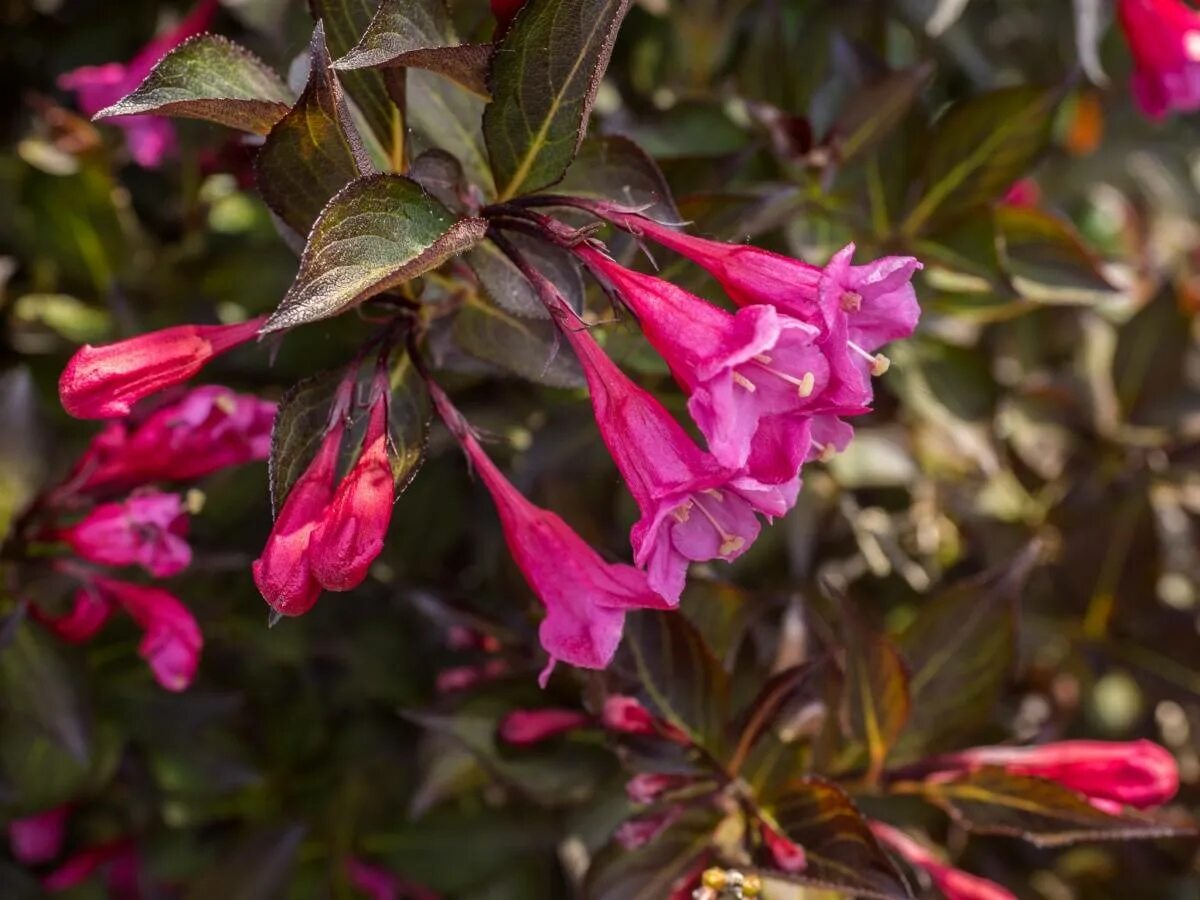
[(585, 597)]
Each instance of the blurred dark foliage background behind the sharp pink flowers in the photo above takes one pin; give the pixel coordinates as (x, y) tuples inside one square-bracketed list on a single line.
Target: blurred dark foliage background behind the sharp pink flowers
[(1051, 393)]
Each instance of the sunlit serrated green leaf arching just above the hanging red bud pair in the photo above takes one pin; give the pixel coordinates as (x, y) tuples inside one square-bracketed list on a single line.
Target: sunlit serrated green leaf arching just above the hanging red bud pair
[(374, 236)]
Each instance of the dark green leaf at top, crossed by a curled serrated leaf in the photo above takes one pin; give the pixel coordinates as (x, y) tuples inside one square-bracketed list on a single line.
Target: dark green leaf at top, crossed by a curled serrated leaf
[(345, 22)]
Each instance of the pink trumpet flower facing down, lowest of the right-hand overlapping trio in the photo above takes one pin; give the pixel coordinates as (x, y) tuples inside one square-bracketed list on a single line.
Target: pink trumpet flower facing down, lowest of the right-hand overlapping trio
[(693, 508)]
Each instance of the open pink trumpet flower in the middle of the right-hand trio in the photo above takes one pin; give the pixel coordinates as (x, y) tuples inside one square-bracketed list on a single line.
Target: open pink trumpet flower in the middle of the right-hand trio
[(737, 369)]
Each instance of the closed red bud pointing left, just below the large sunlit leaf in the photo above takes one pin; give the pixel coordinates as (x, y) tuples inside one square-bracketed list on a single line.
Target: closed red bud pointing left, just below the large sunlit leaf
[(106, 382)]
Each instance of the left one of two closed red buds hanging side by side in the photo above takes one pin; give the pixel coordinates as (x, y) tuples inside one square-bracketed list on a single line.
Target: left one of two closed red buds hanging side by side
[(284, 573)]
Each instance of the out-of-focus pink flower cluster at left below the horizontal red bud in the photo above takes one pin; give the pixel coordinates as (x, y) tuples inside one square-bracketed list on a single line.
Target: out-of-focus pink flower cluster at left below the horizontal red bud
[(203, 431)]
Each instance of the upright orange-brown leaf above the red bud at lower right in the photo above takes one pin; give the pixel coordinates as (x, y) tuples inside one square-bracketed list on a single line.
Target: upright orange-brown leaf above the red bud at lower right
[(877, 701)]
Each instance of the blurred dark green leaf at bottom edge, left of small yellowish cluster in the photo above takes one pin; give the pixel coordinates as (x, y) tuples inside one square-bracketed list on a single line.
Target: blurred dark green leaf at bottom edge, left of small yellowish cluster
[(652, 872)]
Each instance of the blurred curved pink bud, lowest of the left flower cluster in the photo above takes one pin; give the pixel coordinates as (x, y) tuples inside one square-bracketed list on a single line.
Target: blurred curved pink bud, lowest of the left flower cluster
[(172, 640)]
